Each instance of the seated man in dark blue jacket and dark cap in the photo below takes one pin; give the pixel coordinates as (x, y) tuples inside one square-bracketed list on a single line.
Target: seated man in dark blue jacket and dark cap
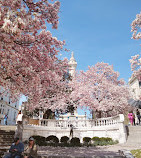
[(16, 149)]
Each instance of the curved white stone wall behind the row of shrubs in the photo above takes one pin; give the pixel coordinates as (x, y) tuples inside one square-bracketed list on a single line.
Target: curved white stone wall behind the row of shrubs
[(115, 129)]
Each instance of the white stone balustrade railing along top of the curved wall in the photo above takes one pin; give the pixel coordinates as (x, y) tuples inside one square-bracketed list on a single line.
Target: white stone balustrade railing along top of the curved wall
[(80, 123)]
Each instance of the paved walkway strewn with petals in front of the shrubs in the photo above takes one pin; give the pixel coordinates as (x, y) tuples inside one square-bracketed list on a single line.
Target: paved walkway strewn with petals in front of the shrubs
[(87, 152)]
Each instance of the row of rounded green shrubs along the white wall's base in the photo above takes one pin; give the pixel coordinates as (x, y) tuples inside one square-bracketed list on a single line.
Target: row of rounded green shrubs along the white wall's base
[(54, 141)]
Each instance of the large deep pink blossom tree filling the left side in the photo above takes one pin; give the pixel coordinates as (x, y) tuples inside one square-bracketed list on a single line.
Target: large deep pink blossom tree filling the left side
[(28, 51)]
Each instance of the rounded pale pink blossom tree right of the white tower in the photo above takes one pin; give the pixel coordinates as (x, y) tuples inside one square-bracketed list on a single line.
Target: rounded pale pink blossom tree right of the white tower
[(100, 89)]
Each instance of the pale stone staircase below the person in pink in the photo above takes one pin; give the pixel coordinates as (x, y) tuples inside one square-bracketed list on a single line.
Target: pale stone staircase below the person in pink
[(134, 136)]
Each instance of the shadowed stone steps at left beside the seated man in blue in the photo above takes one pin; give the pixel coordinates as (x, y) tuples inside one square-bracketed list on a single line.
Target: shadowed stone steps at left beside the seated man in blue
[(6, 139)]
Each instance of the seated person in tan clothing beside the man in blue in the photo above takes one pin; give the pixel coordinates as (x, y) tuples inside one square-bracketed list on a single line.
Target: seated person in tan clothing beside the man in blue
[(31, 149)]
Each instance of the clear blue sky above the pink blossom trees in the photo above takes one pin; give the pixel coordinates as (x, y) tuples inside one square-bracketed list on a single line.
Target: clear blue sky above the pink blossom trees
[(99, 31)]
